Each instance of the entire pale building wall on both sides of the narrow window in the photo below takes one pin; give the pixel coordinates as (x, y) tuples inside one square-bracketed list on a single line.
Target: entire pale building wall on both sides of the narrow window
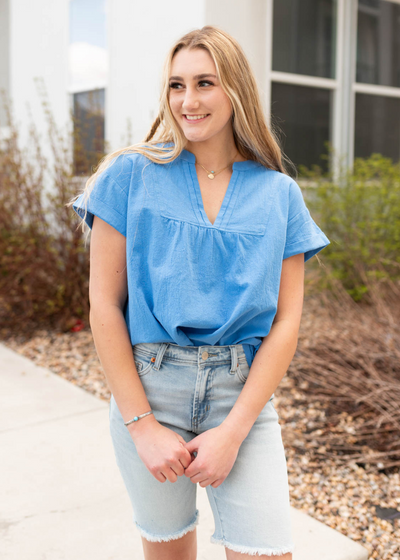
[(139, 35)]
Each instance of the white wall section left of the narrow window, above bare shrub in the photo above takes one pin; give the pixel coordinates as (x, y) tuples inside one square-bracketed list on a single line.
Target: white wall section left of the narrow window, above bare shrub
[(38, 44)]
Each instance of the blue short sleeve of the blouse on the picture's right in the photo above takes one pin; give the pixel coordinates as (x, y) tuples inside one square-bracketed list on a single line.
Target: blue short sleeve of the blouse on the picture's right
[(302, 235)]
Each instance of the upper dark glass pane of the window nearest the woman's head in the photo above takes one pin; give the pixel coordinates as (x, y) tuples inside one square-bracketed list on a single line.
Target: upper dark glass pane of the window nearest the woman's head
[(304, 37)]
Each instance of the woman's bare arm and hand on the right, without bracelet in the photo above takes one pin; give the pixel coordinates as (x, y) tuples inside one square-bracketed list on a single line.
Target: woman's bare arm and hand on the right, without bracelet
[(218, 448)]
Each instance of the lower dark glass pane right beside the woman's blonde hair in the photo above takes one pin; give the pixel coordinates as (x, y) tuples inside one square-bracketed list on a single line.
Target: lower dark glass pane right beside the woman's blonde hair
[(304, 115)]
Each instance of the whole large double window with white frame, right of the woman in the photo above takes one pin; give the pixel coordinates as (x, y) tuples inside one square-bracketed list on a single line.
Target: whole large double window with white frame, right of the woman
[(334, 73)]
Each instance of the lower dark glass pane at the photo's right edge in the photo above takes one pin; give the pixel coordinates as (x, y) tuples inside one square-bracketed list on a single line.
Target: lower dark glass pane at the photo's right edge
[(377, 126)]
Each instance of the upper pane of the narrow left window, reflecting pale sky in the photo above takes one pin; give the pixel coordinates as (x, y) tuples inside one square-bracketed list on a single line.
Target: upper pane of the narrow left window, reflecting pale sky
[(88, 57)]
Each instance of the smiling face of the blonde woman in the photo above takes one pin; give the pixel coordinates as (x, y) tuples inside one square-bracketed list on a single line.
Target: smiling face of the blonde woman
[(199, 104)]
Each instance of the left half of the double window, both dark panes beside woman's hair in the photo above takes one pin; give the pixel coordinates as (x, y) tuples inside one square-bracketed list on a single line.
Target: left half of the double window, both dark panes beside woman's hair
[(303, 76)]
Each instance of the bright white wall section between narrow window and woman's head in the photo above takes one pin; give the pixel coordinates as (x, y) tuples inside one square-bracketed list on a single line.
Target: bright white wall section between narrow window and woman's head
[(139, 37)]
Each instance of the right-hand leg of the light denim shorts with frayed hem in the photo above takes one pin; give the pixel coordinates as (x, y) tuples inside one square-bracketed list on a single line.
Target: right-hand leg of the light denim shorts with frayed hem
[(251, 507)]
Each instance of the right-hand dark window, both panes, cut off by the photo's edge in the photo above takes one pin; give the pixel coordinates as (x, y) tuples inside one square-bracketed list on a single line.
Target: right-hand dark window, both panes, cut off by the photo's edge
[(377, 106)]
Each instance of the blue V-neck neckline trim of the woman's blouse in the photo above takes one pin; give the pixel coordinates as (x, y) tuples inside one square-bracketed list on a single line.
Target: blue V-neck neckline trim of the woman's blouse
[(230, 194)]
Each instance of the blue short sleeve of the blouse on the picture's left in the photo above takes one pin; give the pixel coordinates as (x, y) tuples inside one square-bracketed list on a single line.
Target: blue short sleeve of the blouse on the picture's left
[(109, 198)]
